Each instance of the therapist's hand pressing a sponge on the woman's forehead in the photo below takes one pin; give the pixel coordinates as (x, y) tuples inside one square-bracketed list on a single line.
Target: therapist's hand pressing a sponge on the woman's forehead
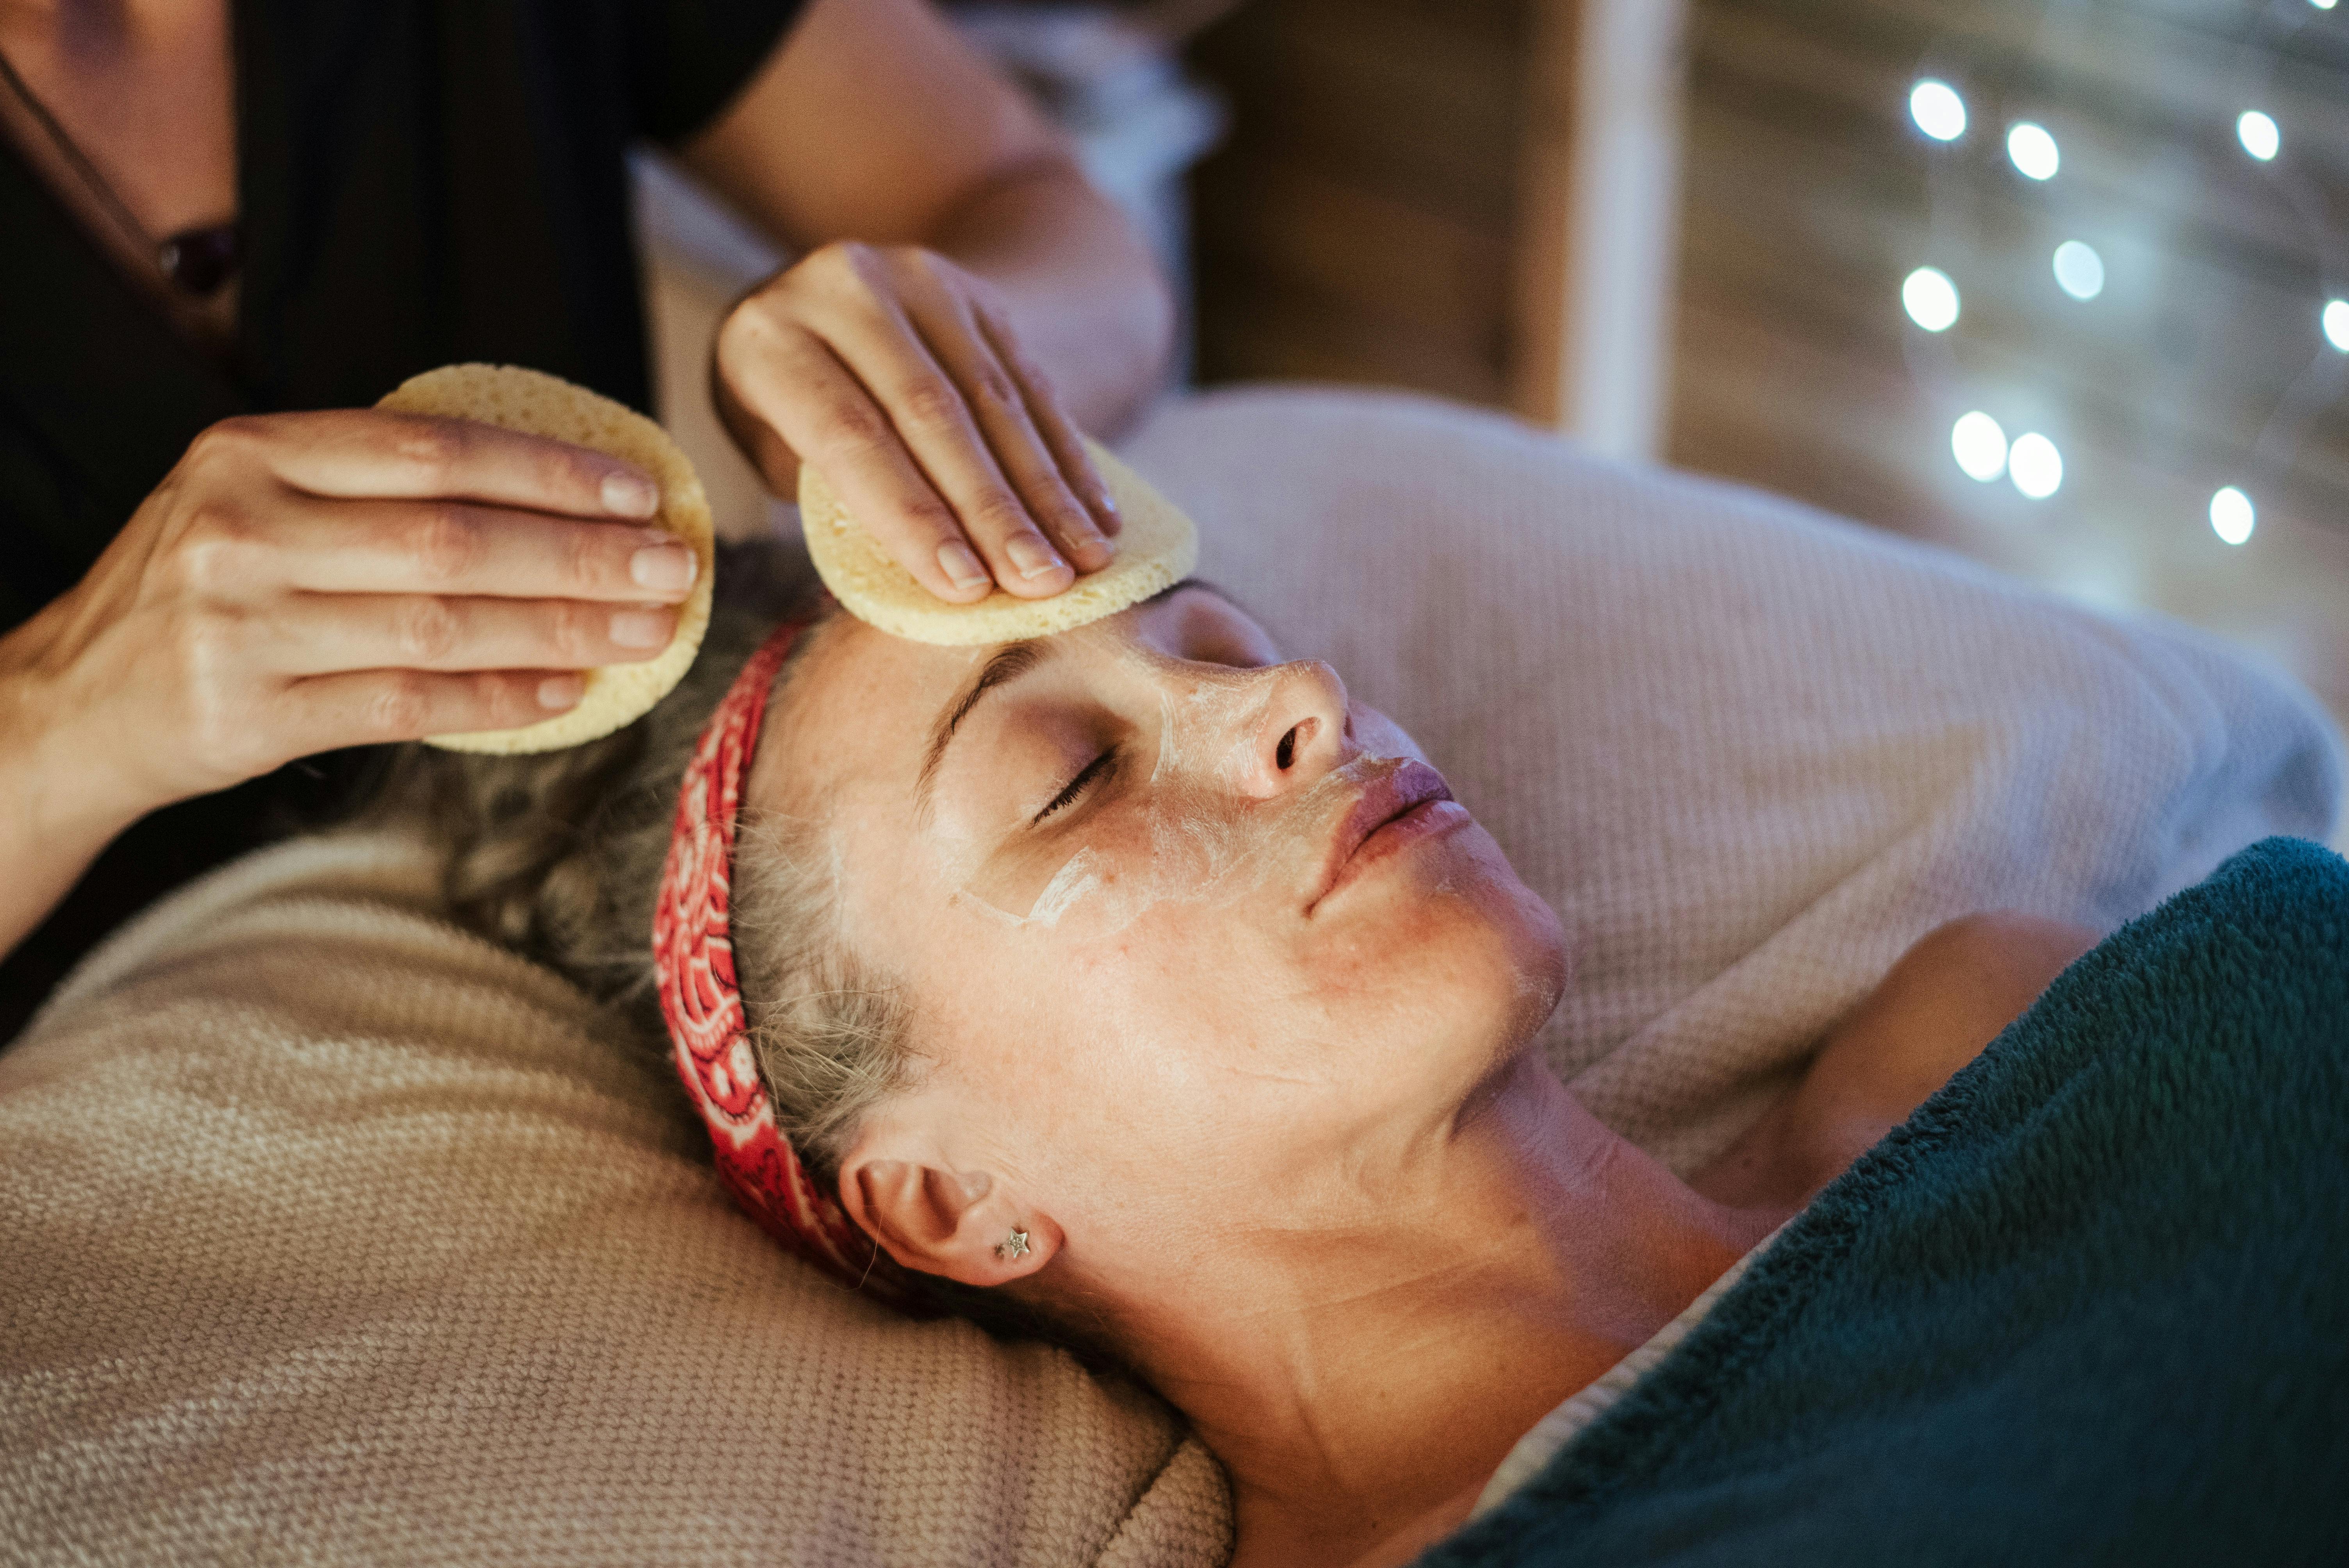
[(898, 377)]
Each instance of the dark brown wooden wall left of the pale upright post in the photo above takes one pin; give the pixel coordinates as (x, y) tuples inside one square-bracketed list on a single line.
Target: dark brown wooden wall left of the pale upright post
[(1357, 224)]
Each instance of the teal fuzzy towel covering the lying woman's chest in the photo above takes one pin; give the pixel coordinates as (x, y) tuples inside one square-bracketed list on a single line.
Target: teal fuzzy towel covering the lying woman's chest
[(2087, 1306)]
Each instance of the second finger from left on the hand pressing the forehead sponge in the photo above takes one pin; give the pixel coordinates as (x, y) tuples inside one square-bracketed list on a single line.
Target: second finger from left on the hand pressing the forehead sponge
[(929, 412)]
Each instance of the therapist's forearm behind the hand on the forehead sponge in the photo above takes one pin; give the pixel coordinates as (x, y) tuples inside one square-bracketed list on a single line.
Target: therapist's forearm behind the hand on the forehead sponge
[(1084, 292)]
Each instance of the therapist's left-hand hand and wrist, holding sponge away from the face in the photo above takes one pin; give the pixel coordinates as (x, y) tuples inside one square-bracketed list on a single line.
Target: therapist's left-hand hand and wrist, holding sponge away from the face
[(314, 581)]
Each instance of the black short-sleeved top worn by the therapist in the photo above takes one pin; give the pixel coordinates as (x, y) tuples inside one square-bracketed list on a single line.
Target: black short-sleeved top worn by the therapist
[(419, 182)]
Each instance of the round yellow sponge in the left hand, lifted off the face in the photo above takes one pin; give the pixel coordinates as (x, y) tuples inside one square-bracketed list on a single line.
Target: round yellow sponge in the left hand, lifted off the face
[(551, 407)]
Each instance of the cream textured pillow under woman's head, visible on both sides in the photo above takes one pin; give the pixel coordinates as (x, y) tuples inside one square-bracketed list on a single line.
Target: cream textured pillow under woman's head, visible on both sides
[(332, 1234)]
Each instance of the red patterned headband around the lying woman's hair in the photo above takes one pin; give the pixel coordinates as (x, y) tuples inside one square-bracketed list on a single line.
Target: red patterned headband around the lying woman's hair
[(704, 1006)]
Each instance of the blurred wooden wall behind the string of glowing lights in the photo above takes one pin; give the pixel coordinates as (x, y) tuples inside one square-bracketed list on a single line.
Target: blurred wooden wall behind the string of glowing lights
[(1810, 196)]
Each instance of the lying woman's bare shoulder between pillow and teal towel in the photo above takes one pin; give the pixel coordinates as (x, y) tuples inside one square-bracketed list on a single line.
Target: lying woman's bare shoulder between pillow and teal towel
[(1934, 1013)]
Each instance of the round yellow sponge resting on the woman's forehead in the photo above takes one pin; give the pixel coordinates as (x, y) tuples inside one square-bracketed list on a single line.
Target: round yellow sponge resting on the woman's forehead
[(1157, 550)]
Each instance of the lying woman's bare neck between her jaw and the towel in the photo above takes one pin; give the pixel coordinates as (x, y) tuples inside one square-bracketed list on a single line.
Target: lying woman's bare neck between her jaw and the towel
[(1364, 1388)]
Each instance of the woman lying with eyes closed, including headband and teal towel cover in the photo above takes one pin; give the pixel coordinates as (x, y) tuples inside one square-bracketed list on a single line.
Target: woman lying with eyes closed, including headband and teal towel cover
[(1140, 989)]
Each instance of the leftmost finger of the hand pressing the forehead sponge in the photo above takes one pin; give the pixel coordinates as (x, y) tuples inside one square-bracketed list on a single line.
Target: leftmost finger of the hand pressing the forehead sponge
[(790, 379)]
